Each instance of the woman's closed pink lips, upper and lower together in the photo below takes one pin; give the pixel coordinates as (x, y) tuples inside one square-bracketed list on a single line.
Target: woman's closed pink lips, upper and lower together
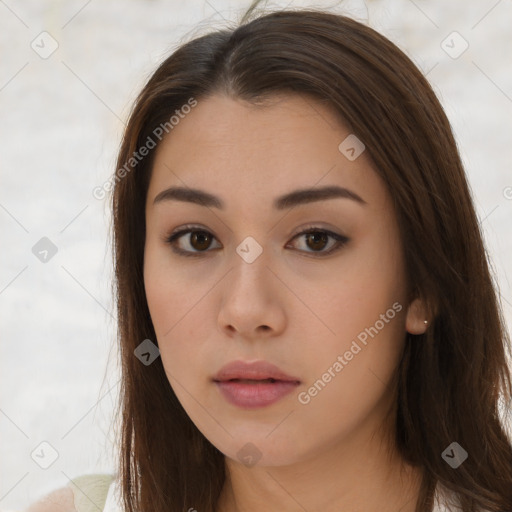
[(254, 385)]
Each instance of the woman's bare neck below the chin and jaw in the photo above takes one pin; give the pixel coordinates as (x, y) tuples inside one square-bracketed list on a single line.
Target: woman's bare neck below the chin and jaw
[(351, 476)]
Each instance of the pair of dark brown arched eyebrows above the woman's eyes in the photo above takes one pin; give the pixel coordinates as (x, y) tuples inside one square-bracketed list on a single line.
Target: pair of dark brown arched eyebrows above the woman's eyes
[(295, 198)]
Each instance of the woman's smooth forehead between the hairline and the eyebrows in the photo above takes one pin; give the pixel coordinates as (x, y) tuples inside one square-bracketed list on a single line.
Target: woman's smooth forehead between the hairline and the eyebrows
[(263, 151)]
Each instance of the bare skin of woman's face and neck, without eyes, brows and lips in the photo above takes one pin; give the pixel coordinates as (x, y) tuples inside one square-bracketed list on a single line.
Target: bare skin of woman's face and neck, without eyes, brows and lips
[(213, 309)]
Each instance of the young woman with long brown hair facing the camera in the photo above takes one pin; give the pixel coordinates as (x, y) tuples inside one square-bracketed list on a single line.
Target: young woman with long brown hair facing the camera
[(307, 319)]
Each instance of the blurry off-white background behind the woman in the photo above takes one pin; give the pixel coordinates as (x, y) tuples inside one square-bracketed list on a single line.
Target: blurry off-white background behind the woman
[(69, 72)]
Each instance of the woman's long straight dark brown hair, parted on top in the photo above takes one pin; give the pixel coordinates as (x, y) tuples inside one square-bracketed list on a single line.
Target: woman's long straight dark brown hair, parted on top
[(450, 379)]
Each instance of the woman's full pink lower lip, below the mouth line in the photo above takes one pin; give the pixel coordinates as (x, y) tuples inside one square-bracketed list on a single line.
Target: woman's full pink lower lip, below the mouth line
[(259, 394)]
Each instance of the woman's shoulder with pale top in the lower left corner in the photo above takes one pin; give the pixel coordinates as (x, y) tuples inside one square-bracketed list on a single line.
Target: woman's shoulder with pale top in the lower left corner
[(82, 494)]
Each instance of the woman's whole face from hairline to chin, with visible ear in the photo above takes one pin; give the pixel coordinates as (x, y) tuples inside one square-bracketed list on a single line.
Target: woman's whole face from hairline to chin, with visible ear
[(311, 283)]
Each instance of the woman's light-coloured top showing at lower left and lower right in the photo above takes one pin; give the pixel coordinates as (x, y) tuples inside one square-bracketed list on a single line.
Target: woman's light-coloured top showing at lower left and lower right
[(101, 492)]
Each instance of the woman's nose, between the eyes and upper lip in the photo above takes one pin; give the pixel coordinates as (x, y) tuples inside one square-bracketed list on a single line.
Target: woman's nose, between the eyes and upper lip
[(253, 301)]
